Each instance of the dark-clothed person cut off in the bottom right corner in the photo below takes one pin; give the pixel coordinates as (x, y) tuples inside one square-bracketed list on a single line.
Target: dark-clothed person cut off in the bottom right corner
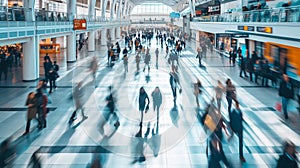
[(288, 158)]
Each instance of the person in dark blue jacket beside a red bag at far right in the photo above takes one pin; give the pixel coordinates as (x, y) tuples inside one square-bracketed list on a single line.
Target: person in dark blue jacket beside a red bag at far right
[(286, 92)]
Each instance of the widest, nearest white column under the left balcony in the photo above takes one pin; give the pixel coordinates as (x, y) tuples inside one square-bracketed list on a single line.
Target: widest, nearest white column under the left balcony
[(30, 60)]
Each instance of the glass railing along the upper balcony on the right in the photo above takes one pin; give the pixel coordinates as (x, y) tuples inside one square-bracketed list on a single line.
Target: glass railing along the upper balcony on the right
[(289, 14)]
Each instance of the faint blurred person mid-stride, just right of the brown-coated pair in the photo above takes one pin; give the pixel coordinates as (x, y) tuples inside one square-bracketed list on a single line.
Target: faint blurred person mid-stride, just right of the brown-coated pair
[(78, 96)]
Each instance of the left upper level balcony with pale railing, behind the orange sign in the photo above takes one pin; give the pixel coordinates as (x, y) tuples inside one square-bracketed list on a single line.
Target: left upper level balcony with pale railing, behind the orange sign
[(13, 24)]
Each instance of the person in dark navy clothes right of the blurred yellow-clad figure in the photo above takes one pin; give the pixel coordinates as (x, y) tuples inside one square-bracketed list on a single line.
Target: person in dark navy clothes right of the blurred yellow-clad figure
[(236, 124)]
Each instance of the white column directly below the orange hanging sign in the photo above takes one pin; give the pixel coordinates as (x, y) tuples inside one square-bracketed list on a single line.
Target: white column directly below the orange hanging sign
[(71, 51)]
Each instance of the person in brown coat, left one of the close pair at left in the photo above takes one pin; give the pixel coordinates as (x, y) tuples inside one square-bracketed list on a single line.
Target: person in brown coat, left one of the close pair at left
[(31, 110)]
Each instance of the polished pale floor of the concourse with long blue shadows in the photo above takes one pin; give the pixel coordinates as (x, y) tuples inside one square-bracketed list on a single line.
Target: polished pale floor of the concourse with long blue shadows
[(178, 138)]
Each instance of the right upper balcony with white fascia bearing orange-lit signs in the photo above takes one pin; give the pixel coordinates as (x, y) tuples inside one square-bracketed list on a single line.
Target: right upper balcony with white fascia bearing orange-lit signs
[(279, 25)]
